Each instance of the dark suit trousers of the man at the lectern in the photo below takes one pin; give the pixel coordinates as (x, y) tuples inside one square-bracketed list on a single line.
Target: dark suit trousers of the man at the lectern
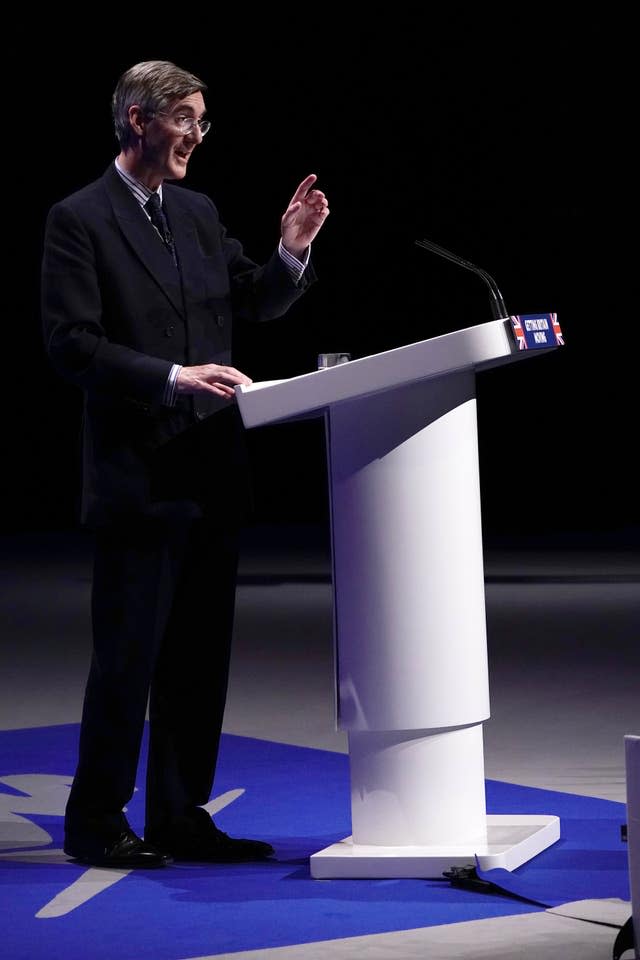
[(162, 611)]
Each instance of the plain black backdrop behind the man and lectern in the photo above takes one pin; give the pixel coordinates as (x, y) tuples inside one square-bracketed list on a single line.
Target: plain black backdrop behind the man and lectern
[(495, 139)]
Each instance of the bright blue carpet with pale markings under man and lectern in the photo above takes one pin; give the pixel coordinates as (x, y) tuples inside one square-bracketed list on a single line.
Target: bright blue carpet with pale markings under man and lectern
[(294, 797)]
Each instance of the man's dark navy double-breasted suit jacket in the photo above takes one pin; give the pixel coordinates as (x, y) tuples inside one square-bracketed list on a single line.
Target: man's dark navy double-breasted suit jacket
[(118, 313)]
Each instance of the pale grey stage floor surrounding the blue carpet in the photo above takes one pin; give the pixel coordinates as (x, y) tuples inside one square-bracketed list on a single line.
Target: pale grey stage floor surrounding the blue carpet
[(564, 655)]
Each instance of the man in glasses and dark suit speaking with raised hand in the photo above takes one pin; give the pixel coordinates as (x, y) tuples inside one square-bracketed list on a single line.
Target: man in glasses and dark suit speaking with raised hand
[(140, 287)]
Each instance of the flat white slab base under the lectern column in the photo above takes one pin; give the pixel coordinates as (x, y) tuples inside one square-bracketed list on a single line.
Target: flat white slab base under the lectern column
[(511, 841)]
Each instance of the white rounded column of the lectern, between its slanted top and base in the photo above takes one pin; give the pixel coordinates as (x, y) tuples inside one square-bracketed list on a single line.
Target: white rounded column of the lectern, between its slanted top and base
[(410, 627)]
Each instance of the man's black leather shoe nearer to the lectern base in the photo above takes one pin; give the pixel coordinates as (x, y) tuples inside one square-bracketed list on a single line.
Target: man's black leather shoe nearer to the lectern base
[(206, 844)]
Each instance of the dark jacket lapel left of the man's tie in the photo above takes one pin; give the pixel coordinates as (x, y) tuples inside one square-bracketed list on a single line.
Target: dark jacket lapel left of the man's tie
[(142, 238)]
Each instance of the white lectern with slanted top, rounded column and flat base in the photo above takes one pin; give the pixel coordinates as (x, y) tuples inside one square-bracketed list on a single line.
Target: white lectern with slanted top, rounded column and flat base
[(409, 613)]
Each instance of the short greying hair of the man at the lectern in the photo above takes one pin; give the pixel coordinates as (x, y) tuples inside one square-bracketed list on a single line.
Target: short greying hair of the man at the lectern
[(153, 85)]
